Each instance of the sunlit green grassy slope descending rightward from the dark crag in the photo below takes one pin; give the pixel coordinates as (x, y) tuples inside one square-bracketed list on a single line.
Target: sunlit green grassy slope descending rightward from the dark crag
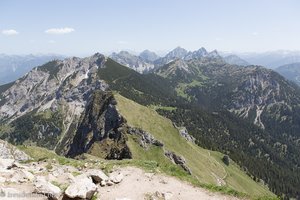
[(203, 163)]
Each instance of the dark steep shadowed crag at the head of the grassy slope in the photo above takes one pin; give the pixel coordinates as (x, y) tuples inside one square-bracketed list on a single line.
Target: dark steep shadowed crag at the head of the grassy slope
[(102, 131)]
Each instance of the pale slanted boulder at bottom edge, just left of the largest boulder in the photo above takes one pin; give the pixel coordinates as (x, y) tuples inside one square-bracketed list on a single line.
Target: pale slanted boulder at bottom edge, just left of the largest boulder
[(42, 186)]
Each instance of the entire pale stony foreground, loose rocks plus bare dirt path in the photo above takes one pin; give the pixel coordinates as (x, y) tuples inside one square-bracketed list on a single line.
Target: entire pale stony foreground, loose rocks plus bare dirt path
[(22, 178)]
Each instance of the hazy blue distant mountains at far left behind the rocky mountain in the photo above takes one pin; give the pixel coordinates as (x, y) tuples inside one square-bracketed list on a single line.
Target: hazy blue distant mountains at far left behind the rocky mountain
[(13, 67)]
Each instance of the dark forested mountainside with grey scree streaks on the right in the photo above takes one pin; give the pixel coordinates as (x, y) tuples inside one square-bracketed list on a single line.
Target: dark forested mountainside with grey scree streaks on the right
[(227, 107)]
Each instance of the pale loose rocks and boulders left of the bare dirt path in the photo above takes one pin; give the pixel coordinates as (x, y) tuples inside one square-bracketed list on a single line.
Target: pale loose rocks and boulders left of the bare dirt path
[(48, 179)]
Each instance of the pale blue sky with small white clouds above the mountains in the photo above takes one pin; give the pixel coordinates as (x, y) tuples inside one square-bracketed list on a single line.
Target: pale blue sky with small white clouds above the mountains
[(82, 27)]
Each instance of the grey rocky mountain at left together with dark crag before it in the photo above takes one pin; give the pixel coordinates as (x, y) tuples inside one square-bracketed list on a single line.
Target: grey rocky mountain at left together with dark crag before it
[(54, 100)]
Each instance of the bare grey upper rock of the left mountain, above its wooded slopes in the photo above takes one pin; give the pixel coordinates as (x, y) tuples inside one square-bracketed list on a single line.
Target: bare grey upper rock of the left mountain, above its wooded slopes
[(46, 86)]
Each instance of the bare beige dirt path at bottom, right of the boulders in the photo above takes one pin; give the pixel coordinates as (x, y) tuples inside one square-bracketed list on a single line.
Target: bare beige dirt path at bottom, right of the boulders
[(137, 185)]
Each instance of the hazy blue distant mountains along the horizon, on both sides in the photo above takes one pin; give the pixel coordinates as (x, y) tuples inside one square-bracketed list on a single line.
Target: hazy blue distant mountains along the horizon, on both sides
[(14, 66)]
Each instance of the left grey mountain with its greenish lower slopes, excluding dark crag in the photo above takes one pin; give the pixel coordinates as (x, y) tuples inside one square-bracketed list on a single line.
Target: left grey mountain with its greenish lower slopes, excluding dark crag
[(49, 101)]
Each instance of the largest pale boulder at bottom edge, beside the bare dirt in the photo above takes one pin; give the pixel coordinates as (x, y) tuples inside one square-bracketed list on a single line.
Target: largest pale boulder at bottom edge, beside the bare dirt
[(82, 188)]
